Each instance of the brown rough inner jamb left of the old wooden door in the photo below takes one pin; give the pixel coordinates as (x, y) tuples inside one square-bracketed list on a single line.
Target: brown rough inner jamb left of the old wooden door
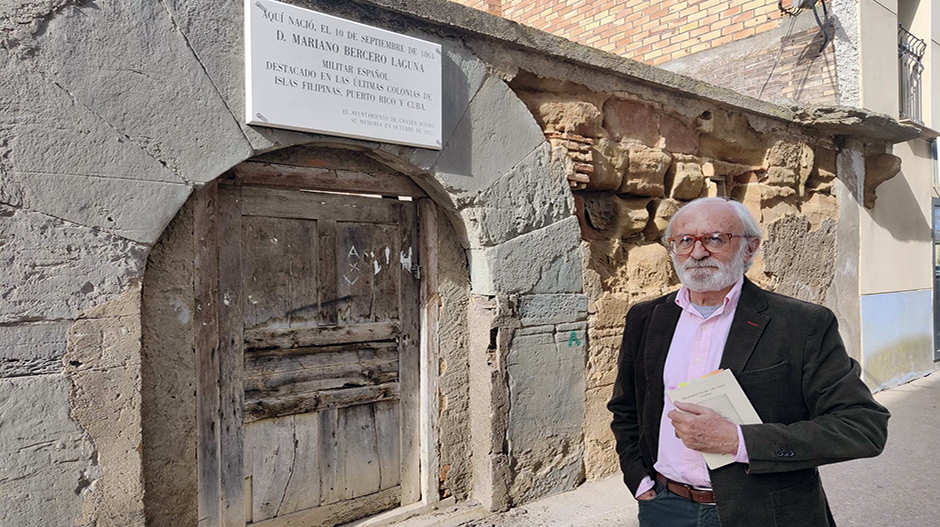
[(168, 376)]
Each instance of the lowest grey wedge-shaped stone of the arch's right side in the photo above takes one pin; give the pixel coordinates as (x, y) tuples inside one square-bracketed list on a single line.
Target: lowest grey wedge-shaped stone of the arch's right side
[(543, 261)]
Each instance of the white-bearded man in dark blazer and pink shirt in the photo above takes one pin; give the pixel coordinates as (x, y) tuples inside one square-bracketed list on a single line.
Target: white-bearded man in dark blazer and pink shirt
[(788, 358)]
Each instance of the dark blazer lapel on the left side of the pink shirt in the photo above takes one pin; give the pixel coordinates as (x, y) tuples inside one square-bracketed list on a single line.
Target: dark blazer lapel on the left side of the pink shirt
[(658, 338)]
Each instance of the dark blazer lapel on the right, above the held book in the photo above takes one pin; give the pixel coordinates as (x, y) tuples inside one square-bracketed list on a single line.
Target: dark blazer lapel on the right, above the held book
[(746, 328)]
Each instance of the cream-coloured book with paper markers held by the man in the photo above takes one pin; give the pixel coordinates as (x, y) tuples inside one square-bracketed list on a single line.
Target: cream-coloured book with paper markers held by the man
[(721, 392)]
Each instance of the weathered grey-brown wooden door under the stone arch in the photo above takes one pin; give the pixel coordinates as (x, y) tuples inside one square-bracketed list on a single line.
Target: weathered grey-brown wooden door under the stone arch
[(320, 299)]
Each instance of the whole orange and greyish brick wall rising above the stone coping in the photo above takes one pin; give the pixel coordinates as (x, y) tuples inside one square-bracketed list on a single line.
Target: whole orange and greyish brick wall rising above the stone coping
[(663, 32)]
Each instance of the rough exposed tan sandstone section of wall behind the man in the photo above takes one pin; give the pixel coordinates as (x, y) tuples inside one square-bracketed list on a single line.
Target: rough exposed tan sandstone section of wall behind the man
[(632, 163)]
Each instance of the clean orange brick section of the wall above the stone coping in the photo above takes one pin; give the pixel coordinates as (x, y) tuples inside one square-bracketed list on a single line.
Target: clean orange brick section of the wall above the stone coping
[(644, 30)]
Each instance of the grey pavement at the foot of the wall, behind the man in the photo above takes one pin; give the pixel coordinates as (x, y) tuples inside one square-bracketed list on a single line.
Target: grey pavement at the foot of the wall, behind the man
[(897, 489)]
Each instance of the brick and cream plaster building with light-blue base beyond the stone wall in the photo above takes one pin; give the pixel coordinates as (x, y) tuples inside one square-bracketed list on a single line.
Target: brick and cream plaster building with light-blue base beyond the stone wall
[(874, 55)]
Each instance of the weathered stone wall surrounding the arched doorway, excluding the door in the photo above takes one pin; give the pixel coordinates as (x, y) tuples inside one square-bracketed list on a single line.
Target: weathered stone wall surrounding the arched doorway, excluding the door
[(102, 143)]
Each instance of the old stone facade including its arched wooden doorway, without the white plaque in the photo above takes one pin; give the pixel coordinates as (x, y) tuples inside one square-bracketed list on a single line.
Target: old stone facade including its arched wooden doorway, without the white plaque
[(187, 336)]
